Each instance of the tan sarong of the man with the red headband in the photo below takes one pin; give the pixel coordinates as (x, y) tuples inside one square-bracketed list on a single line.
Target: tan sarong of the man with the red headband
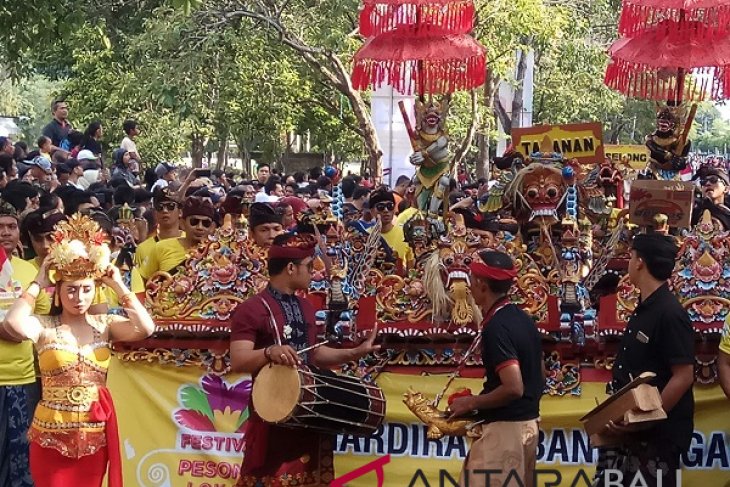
[(504, 454)]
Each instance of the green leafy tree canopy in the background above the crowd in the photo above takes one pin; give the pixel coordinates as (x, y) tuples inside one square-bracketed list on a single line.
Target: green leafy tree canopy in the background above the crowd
[(201, 74)]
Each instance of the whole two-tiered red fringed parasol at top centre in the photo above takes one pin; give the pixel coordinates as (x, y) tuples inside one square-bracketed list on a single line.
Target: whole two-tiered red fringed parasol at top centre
[(419, 46)]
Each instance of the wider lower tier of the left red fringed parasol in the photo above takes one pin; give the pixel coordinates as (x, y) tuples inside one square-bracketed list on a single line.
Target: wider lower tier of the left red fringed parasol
[(441, 63)]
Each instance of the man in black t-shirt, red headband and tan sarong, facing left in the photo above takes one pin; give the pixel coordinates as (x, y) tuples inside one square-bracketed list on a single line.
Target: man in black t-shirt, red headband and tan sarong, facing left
[(510, 402)]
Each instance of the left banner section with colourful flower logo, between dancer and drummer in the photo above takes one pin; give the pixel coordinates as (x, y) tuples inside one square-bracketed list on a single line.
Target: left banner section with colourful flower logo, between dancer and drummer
[(179, 427)]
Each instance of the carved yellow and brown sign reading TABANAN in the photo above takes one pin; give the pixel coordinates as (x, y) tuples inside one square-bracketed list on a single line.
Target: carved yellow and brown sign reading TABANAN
[(580, 141)]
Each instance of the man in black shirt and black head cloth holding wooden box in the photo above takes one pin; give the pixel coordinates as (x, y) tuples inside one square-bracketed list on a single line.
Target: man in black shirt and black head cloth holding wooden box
[(658, 338)]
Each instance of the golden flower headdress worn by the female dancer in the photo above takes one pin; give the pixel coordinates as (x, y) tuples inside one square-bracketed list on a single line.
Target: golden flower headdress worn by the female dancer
[(80, 250)]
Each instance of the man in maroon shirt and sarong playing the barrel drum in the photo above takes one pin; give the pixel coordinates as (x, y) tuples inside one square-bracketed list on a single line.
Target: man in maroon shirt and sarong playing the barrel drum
[(273, 455)]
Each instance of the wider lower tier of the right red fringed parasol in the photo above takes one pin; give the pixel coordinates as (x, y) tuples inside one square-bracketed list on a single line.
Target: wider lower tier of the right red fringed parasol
[(652, 66)]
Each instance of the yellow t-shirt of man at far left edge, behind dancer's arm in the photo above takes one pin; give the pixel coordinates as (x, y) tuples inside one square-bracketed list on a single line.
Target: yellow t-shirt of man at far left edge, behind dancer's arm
[(16, 359)]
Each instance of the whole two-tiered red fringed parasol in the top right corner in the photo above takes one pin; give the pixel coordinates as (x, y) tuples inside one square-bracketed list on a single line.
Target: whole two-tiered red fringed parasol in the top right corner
[(672, 50)]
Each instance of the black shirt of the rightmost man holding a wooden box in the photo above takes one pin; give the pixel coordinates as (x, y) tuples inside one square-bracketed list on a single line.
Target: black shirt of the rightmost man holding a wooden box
[(659, 335)]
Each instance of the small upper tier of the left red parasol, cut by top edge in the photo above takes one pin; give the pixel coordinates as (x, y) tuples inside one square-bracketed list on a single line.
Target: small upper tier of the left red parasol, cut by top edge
[(381, 16)]
